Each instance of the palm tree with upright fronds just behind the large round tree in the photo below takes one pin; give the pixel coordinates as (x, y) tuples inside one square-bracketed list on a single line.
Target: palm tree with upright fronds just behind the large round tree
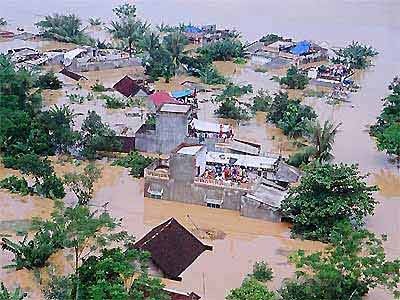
[(322, 139)]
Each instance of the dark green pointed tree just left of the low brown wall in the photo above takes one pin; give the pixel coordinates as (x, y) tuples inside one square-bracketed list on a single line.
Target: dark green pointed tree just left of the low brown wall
[(96, 136)]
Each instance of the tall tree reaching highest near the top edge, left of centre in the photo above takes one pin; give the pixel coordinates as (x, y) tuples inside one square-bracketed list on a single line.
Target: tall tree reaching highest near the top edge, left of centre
[(127, 28)]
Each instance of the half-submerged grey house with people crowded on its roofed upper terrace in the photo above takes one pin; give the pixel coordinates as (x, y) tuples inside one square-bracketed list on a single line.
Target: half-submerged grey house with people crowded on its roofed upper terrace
[(245, 183)]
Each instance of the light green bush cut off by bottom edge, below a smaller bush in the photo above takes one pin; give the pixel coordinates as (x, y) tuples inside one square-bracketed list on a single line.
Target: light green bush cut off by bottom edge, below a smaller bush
[(251, 289)]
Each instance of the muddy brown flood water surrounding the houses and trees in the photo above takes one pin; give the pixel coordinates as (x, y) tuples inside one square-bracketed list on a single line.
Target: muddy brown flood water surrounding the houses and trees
[(375, 22)]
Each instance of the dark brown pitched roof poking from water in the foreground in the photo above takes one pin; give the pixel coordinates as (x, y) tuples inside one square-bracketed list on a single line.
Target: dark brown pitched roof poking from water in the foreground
[(173, 248)]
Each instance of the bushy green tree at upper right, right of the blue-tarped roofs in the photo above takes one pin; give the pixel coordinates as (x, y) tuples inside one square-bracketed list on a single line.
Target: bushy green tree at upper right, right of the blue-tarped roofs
[(356, 55)]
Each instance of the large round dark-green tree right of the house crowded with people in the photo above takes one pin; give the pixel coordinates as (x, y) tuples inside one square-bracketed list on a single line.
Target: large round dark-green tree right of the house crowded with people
[(326, 196)]
